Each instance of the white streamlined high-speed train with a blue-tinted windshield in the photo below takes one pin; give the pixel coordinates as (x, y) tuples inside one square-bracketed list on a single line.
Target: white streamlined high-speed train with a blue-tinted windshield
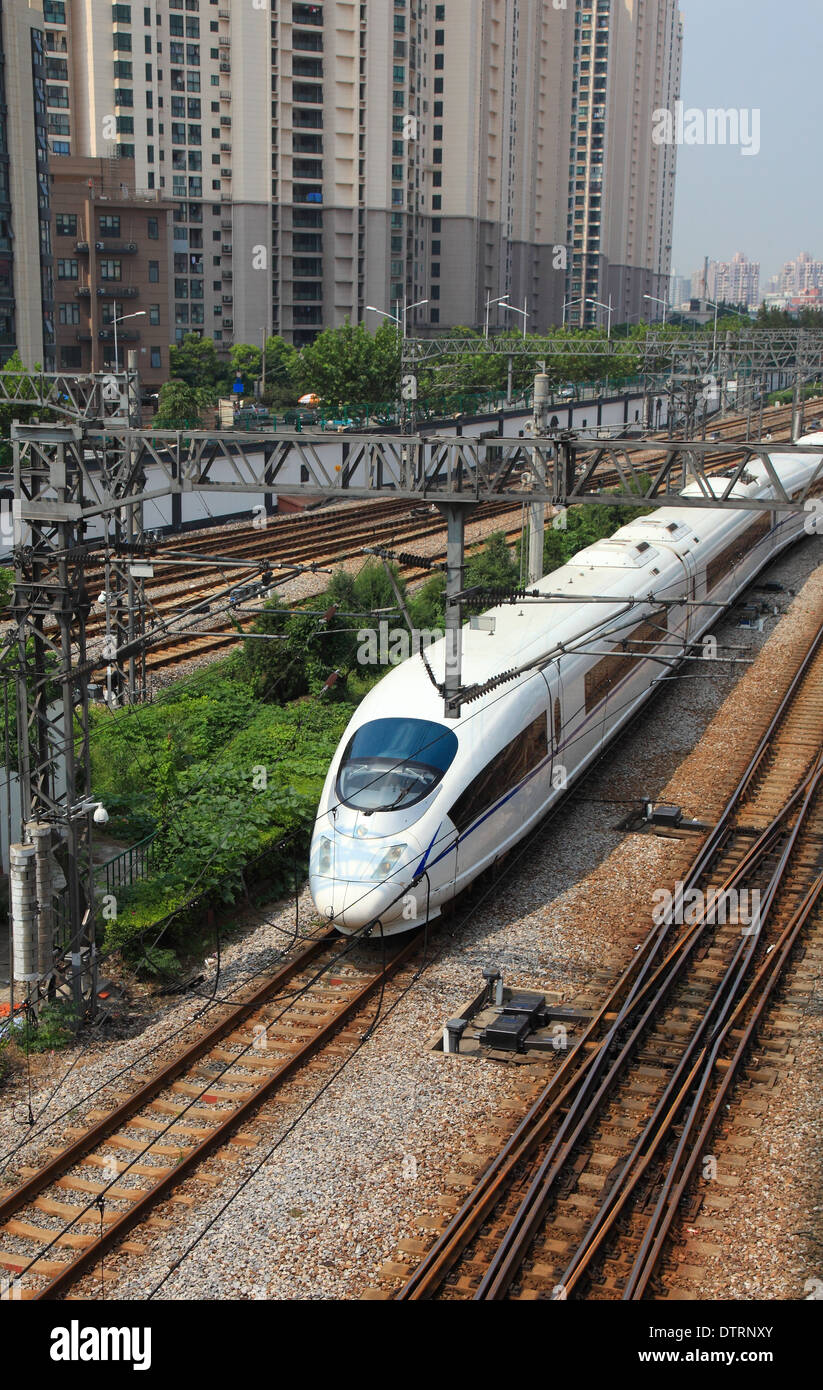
[(416, 807)]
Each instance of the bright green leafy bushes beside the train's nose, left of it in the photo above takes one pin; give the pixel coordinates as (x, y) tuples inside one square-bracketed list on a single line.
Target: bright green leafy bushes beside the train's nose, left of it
[(223, 778)]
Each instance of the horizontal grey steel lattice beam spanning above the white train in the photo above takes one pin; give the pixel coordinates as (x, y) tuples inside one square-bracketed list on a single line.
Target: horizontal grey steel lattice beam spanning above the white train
[(561, 469)]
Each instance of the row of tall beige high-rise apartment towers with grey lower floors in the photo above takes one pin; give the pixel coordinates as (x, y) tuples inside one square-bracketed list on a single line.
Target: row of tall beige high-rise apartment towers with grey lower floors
[(327, 158)]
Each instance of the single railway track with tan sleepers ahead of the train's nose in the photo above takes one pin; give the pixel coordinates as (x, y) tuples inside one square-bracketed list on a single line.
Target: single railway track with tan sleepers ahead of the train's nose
[(65, 1217)]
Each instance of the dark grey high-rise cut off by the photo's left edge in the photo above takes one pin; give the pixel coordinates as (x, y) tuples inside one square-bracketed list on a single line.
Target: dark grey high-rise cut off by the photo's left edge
[(27, 300)]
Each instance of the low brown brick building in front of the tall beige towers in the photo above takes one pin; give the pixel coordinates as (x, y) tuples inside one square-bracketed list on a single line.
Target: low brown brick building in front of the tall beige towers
[(111, 263)]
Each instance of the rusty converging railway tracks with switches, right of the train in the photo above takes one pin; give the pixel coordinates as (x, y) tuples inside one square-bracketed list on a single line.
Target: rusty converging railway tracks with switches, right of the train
[(585, 1199)]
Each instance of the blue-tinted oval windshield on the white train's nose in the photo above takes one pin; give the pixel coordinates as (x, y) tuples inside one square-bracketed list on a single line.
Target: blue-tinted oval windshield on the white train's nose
[(394, 762)]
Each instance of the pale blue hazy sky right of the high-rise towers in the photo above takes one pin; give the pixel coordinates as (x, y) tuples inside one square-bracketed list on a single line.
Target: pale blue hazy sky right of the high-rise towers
[(753, 55)]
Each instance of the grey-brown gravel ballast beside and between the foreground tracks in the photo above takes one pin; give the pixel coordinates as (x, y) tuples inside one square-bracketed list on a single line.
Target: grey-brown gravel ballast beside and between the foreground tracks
[(348, 1185)]
